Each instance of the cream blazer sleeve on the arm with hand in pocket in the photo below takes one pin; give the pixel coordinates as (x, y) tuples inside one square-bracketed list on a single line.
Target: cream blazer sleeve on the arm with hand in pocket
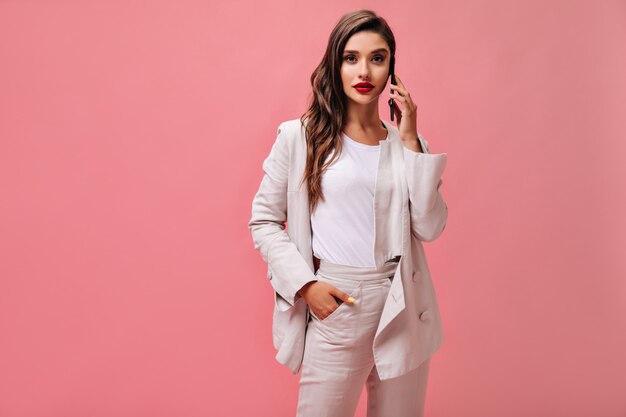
[(287, 269)]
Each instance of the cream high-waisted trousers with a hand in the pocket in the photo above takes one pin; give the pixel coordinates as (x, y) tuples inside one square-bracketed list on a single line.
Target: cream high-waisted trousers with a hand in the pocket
[(338, 355)]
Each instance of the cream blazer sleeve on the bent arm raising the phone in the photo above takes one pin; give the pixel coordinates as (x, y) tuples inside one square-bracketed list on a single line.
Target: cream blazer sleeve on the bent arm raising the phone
[(429, 211)]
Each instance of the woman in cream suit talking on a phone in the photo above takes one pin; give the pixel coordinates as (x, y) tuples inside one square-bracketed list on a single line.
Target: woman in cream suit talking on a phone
[(354, 301)]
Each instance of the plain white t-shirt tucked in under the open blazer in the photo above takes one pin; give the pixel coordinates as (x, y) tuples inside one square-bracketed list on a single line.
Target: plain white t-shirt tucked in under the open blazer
[(343, 225)]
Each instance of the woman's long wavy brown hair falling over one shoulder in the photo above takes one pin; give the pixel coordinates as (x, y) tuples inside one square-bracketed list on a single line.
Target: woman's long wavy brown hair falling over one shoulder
[(325, 117)]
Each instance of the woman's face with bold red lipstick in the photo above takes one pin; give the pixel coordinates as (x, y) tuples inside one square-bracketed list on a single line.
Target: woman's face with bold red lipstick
[(365, 59)]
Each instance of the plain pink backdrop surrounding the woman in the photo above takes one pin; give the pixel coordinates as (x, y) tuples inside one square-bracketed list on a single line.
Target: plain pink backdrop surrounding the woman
[(131, 141)]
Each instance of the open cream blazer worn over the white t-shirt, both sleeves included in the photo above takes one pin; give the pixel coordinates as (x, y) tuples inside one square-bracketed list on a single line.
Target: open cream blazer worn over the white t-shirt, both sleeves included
[(409, 209)]
